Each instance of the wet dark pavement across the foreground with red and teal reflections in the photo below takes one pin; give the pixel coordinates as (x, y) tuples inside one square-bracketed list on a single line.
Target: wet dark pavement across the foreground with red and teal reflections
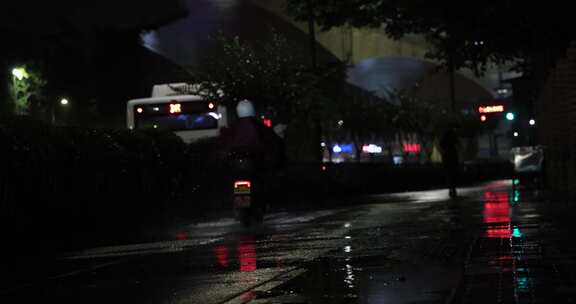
[(496, 243)]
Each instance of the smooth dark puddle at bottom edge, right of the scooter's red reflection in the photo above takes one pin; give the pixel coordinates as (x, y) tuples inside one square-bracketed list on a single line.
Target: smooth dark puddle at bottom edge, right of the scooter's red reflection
[(368, 279)]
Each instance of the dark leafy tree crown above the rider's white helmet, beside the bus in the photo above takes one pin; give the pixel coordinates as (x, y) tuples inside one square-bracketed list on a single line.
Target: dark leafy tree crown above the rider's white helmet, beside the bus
[(274, 75)]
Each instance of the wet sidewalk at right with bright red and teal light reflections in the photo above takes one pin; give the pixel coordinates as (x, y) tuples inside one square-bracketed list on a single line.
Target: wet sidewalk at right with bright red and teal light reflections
[(521, 248)]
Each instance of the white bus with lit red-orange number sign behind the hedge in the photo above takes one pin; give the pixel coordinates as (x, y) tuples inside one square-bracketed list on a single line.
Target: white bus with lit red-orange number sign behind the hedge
[(188, 116)]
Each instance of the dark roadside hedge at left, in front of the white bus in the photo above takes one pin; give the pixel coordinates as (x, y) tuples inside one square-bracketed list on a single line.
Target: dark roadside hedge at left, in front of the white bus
[(86, 184)]
